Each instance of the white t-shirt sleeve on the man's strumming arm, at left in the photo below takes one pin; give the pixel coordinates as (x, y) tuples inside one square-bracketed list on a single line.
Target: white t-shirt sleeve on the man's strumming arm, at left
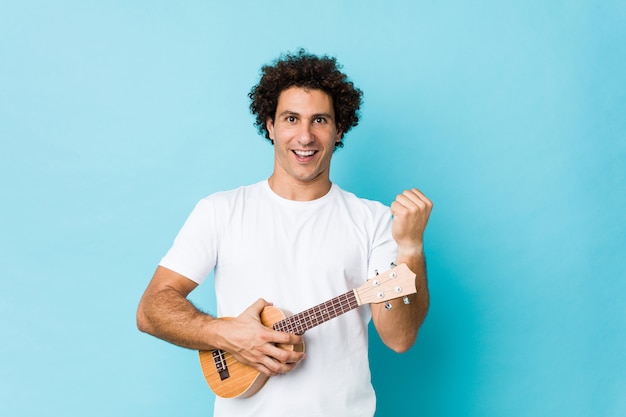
[(194, 251)]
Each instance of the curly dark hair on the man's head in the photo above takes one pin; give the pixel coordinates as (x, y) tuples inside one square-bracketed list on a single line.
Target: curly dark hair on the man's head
[(302, 69)]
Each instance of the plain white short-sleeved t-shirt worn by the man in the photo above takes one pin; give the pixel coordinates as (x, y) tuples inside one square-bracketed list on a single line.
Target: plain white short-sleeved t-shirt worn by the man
[(295, 254)]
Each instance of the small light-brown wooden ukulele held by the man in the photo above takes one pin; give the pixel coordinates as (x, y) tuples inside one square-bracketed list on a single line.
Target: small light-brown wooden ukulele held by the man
[(229, 378)]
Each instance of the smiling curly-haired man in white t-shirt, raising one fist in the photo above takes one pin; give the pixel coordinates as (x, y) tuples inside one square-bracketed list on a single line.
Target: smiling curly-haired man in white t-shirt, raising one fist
[(297, 240)]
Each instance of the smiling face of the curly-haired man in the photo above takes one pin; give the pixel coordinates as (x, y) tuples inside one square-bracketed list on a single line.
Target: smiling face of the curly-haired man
[(304, 132)]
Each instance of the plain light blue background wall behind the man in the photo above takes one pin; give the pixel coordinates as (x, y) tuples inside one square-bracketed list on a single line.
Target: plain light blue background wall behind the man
[(117, 116)]
